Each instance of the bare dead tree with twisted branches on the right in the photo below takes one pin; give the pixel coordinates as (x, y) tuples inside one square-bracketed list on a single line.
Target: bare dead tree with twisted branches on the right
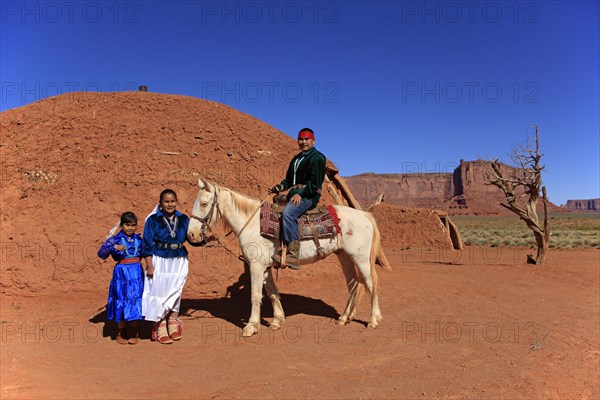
[(521, 187)]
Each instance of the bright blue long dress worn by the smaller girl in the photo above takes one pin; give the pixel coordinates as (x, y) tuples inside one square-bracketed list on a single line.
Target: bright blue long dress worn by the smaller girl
[(127, 283)]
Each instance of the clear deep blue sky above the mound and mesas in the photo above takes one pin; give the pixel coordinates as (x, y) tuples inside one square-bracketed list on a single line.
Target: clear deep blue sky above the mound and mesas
[(388, 87)]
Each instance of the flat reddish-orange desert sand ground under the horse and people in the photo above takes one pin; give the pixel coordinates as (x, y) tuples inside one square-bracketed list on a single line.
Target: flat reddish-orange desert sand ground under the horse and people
[(472, 324)]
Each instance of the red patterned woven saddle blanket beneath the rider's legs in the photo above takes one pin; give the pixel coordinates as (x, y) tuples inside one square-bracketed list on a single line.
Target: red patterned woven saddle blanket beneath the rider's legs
[(326, 223)]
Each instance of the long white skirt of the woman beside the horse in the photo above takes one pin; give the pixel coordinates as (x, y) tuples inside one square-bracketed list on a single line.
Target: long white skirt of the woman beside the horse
[(162, 292)]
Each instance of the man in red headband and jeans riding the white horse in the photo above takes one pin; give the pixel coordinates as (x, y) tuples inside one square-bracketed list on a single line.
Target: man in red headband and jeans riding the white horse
[(304, 179)]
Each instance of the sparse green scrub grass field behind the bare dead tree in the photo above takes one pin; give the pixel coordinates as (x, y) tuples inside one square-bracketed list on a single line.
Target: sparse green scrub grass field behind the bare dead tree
[(568, 231)]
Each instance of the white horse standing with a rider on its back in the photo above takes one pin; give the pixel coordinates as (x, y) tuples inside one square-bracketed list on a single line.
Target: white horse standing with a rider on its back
[(356, 246)]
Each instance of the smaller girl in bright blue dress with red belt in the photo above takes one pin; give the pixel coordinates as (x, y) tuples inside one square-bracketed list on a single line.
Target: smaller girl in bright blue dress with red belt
[(127, 284)]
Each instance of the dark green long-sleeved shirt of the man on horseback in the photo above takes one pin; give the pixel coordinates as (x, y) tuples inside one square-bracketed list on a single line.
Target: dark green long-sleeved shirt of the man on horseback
[(309, 170)]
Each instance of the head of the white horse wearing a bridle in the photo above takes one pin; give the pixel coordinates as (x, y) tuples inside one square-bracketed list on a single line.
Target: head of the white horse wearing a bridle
[(205, 212)]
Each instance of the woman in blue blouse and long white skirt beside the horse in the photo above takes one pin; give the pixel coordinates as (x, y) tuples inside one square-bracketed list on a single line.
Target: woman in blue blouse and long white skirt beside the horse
[(166, 268)]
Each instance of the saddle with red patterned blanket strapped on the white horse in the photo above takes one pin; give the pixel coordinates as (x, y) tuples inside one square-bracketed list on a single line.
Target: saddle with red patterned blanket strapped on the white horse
[(317, 223)]
